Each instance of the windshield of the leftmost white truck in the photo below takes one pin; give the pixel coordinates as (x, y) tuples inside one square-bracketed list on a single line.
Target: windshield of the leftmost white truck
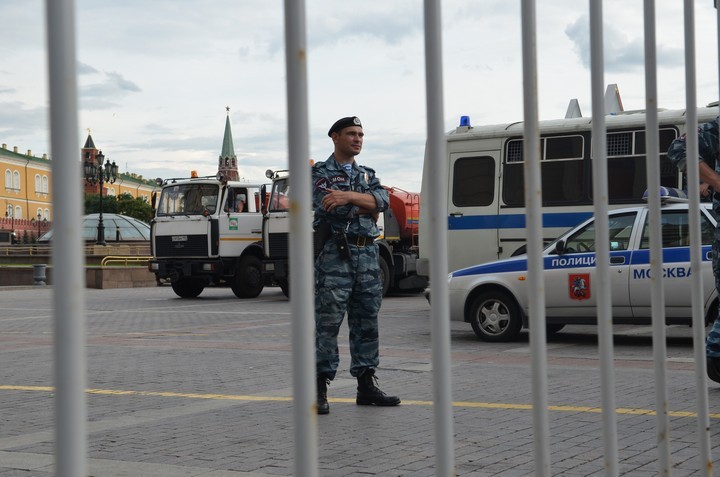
[(188, 199)]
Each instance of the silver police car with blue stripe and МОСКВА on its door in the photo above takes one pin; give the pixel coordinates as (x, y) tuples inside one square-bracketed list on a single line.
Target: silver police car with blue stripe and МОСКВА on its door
[(493, 297)]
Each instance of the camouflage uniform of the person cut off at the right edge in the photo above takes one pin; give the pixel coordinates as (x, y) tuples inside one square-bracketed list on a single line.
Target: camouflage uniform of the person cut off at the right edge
[(708, 151)]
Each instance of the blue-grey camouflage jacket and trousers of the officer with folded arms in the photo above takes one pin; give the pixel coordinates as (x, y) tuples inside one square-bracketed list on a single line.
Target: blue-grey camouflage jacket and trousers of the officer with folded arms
[(347, 285)]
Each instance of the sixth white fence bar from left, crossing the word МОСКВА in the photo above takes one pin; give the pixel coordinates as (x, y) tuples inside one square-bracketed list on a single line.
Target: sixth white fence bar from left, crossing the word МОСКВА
[(657, 292)]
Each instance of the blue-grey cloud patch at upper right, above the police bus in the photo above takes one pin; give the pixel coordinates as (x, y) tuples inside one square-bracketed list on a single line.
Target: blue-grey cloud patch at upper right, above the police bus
[(622, 53)]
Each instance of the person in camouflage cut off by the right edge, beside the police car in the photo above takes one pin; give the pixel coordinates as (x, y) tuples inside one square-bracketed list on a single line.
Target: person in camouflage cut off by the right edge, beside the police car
[(709, 167)]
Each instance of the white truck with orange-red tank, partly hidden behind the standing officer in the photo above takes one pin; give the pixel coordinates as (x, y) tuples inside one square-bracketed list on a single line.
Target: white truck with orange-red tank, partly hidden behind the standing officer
[(398, 240)]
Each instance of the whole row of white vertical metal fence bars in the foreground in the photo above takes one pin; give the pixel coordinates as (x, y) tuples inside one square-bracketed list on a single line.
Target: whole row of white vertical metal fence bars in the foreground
[(69, 301)]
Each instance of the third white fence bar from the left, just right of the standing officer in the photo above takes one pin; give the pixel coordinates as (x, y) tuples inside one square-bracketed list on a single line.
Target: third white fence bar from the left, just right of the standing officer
[(440, 307)]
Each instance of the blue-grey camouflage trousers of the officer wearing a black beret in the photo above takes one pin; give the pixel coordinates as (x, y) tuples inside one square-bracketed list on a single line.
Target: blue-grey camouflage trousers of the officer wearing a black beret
[(353, 286)]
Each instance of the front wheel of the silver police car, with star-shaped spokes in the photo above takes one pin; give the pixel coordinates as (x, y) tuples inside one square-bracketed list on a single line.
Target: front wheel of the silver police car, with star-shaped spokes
[(495, 316)]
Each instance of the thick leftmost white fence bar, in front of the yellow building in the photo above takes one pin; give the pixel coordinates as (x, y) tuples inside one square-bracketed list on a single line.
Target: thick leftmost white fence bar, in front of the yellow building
[(67, 245)]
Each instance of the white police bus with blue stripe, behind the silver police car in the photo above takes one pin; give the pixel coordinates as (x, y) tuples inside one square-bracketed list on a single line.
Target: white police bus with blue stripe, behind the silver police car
[(485, 193)]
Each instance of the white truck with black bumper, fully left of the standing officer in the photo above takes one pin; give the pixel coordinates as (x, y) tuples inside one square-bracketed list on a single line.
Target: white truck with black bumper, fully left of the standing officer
[(207, 232)]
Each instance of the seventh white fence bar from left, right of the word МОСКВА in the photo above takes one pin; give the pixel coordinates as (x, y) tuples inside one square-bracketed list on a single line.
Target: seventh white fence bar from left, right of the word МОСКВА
[(693, 182)]
